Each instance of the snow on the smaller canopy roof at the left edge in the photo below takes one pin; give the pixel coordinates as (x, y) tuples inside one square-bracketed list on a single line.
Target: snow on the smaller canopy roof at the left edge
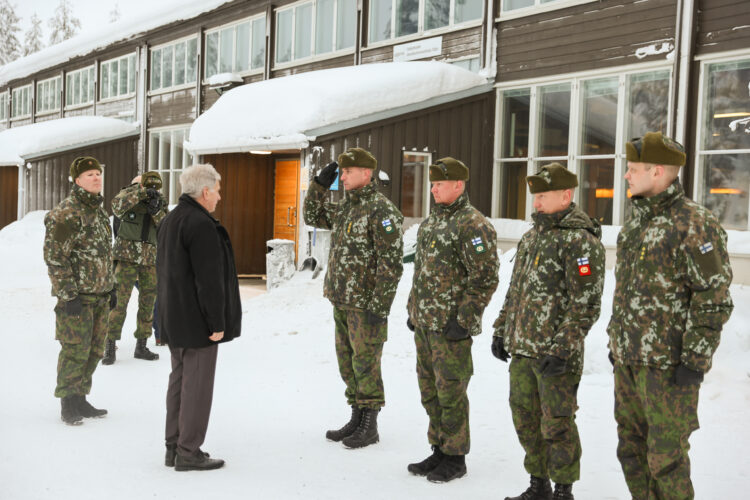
[(19, 143)]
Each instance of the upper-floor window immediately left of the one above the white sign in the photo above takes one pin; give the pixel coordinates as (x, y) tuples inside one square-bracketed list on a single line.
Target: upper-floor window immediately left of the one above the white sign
[(298, 37)]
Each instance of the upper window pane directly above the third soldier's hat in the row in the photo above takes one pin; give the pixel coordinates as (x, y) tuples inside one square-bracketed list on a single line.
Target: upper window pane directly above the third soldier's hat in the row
[(554, 120)]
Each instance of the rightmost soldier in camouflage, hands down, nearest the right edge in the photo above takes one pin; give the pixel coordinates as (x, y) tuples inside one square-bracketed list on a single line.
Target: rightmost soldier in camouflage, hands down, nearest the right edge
[(671, 302)]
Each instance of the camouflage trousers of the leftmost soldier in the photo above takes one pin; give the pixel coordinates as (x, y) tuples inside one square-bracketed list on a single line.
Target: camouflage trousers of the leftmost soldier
[(81, 344)]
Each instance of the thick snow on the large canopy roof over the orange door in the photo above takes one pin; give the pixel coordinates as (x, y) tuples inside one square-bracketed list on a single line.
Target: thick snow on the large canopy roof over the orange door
[(280, 113)]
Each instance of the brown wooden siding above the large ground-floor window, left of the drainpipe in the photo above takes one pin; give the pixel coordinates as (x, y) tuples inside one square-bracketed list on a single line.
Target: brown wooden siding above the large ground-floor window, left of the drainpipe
[(585, 37)]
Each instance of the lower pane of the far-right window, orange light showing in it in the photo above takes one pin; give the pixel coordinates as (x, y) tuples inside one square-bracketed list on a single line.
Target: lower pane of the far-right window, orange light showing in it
[(726, 185)]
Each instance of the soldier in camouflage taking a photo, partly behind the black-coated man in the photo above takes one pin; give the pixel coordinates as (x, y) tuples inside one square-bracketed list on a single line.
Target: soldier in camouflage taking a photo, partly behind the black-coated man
[(140, 207)]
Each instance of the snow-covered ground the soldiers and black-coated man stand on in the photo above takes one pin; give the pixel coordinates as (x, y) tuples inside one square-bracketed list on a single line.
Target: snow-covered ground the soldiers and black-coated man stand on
[(278, 390)]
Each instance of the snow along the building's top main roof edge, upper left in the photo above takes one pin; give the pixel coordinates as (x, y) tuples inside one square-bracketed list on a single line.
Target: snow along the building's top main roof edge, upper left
[(160, 14)]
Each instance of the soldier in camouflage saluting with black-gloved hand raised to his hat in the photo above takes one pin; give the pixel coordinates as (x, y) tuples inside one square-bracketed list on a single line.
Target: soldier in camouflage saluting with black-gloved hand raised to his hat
[(364, 267)]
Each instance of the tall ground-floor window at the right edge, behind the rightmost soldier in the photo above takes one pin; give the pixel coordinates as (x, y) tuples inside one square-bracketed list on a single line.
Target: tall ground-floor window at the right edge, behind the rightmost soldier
[(724, 142)]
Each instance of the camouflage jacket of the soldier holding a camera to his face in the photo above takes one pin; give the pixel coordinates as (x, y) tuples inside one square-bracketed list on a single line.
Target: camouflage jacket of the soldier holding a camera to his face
[(131, 244)]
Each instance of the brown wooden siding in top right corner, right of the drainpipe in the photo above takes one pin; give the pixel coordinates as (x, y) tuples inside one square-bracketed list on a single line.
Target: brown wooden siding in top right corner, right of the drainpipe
[(722, 25)]
